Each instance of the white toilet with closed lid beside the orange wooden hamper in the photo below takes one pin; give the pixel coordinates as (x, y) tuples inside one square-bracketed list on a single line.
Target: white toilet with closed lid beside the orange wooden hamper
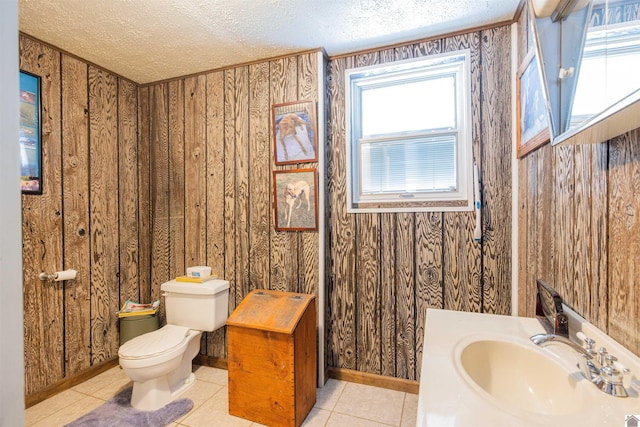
[(159, 362)]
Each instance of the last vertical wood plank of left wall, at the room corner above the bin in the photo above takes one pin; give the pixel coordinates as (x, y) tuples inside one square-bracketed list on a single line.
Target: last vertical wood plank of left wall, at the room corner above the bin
[(128, 191)]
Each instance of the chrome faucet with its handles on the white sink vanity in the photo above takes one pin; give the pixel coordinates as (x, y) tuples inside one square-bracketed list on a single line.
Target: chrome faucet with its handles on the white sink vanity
[(602, 373)]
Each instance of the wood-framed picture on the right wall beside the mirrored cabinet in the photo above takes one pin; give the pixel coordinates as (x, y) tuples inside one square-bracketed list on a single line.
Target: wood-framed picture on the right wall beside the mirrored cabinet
[(532, 122)]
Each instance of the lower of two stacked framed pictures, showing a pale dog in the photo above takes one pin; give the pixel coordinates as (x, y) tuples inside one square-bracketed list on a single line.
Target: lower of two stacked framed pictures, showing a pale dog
[(295, 200)]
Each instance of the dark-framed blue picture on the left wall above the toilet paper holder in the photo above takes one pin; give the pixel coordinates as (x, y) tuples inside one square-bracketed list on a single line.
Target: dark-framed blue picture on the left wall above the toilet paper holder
[(30, 134)]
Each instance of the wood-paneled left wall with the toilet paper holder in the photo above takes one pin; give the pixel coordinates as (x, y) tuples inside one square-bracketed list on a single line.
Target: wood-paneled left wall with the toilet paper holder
[(86, 219)]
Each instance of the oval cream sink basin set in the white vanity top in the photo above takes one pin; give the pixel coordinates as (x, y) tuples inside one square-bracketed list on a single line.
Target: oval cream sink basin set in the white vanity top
[(520, 376)]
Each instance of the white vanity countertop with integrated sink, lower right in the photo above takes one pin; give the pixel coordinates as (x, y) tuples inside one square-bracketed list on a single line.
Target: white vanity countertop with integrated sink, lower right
[(484, 370)]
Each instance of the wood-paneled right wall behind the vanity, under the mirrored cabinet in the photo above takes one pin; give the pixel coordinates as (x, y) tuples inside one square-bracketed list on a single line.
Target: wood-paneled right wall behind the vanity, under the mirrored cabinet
[(578, 227)]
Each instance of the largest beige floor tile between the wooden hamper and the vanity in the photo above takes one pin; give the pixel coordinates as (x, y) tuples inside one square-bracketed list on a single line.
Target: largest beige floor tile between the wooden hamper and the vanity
[(371, 403)]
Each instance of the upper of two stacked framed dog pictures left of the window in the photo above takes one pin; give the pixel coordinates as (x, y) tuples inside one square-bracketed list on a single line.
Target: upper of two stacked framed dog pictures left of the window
[(294, 132)]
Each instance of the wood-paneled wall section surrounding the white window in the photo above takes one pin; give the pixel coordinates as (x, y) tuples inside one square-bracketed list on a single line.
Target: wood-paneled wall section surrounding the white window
[(385, 270)]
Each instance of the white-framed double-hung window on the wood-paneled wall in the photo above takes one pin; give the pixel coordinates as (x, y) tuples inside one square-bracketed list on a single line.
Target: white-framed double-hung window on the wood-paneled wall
[(409, 135)]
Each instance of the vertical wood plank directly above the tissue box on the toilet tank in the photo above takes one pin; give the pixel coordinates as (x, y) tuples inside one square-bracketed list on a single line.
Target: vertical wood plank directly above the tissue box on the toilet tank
[(195, 147)]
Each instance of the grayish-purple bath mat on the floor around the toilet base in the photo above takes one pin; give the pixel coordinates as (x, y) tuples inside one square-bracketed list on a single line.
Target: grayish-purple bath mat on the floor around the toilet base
[(118, 412)]
